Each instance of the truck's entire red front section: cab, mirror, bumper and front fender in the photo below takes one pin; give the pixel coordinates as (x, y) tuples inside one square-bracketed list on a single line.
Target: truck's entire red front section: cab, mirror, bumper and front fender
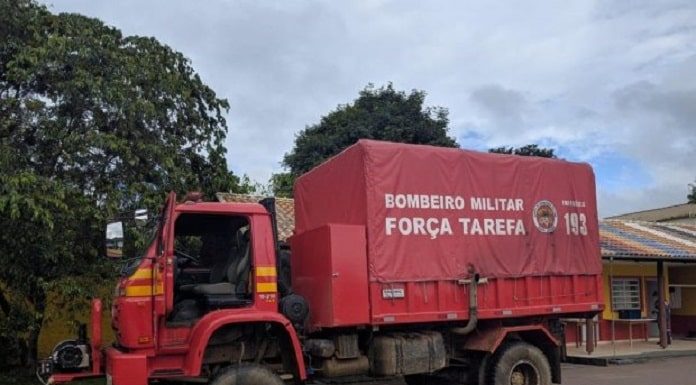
[(203, 293)]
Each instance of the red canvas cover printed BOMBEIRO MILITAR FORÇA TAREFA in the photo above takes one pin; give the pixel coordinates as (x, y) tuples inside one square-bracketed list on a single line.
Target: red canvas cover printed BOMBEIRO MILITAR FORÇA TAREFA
[(432, 212)]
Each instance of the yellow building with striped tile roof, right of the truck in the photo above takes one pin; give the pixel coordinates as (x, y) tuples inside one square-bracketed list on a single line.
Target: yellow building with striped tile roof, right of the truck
[(638, 257)]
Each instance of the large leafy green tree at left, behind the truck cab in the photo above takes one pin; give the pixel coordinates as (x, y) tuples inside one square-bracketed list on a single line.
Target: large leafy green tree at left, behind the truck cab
[(91, 123)]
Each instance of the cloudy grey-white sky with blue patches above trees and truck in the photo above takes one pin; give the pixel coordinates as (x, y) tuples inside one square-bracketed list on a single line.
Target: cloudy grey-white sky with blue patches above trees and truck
[(612, 83)]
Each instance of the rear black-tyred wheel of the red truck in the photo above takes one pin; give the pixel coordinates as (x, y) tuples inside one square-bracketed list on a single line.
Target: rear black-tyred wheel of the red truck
[(519, 363)]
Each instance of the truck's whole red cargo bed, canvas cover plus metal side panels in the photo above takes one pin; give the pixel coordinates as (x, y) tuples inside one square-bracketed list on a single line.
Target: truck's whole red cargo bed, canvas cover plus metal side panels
[(392, 232)]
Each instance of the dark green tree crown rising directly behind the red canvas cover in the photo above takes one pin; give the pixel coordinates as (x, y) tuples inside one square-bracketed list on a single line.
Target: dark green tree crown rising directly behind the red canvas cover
[(378, 113)]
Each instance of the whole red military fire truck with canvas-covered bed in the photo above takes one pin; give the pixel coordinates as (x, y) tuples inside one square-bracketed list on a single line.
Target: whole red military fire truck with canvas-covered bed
[(443, 266)]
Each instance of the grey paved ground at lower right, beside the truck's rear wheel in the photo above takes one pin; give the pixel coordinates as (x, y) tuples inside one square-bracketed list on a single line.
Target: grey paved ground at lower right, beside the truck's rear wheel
[(667, 371)]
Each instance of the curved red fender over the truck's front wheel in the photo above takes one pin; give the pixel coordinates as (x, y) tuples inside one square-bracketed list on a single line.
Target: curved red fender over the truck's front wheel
[(211, 322)]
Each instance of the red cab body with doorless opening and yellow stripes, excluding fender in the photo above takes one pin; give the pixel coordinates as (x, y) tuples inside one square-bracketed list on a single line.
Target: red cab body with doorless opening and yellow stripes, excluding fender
[(205, 257)]
